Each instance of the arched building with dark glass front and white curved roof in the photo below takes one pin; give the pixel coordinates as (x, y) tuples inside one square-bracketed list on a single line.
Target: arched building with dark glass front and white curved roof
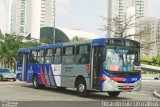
[(65, 35)]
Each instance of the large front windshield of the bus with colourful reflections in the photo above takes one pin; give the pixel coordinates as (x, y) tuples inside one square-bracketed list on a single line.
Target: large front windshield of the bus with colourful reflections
[(121, 60)]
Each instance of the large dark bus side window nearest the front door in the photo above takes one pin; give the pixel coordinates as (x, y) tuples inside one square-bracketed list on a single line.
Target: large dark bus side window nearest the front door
[(83, 54)]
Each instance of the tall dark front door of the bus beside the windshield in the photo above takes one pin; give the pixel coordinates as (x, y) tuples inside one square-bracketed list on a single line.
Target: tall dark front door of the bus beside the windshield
[(97, 55)]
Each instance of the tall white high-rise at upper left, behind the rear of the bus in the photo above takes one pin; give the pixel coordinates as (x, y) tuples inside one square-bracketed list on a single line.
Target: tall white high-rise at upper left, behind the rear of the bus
[(29, 15)]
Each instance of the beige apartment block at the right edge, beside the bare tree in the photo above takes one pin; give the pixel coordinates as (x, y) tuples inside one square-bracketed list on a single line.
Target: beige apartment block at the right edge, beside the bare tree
[(150, 40)]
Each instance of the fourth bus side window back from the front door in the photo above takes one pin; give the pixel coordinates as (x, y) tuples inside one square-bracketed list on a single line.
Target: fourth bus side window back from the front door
[(49, 56)]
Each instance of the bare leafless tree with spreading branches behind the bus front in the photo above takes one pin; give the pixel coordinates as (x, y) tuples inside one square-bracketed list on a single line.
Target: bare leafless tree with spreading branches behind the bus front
[(122, 27)]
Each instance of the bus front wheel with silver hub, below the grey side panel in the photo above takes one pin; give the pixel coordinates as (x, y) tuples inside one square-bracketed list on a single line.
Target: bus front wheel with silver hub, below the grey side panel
[(82, 88)]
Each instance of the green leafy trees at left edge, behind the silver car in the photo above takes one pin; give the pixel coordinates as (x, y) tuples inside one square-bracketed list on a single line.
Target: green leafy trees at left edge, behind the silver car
[(9, 48)]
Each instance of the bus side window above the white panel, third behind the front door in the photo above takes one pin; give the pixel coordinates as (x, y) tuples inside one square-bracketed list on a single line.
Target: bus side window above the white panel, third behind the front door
[(58, 56)]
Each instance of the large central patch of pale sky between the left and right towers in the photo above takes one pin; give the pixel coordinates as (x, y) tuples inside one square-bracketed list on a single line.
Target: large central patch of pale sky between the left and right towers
[(84, 15)]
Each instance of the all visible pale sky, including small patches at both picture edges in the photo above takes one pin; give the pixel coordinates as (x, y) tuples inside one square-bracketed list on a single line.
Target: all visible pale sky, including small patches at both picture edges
[(84, 15)]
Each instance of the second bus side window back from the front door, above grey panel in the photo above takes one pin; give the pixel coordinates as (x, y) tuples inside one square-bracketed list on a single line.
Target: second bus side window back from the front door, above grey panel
[(68, 55)]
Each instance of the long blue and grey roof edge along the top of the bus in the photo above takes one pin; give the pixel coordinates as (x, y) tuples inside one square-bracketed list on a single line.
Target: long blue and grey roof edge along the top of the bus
[(94, 42)]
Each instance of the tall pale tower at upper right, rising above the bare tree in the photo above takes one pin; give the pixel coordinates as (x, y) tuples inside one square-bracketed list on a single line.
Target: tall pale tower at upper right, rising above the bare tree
[(122, 9)]
